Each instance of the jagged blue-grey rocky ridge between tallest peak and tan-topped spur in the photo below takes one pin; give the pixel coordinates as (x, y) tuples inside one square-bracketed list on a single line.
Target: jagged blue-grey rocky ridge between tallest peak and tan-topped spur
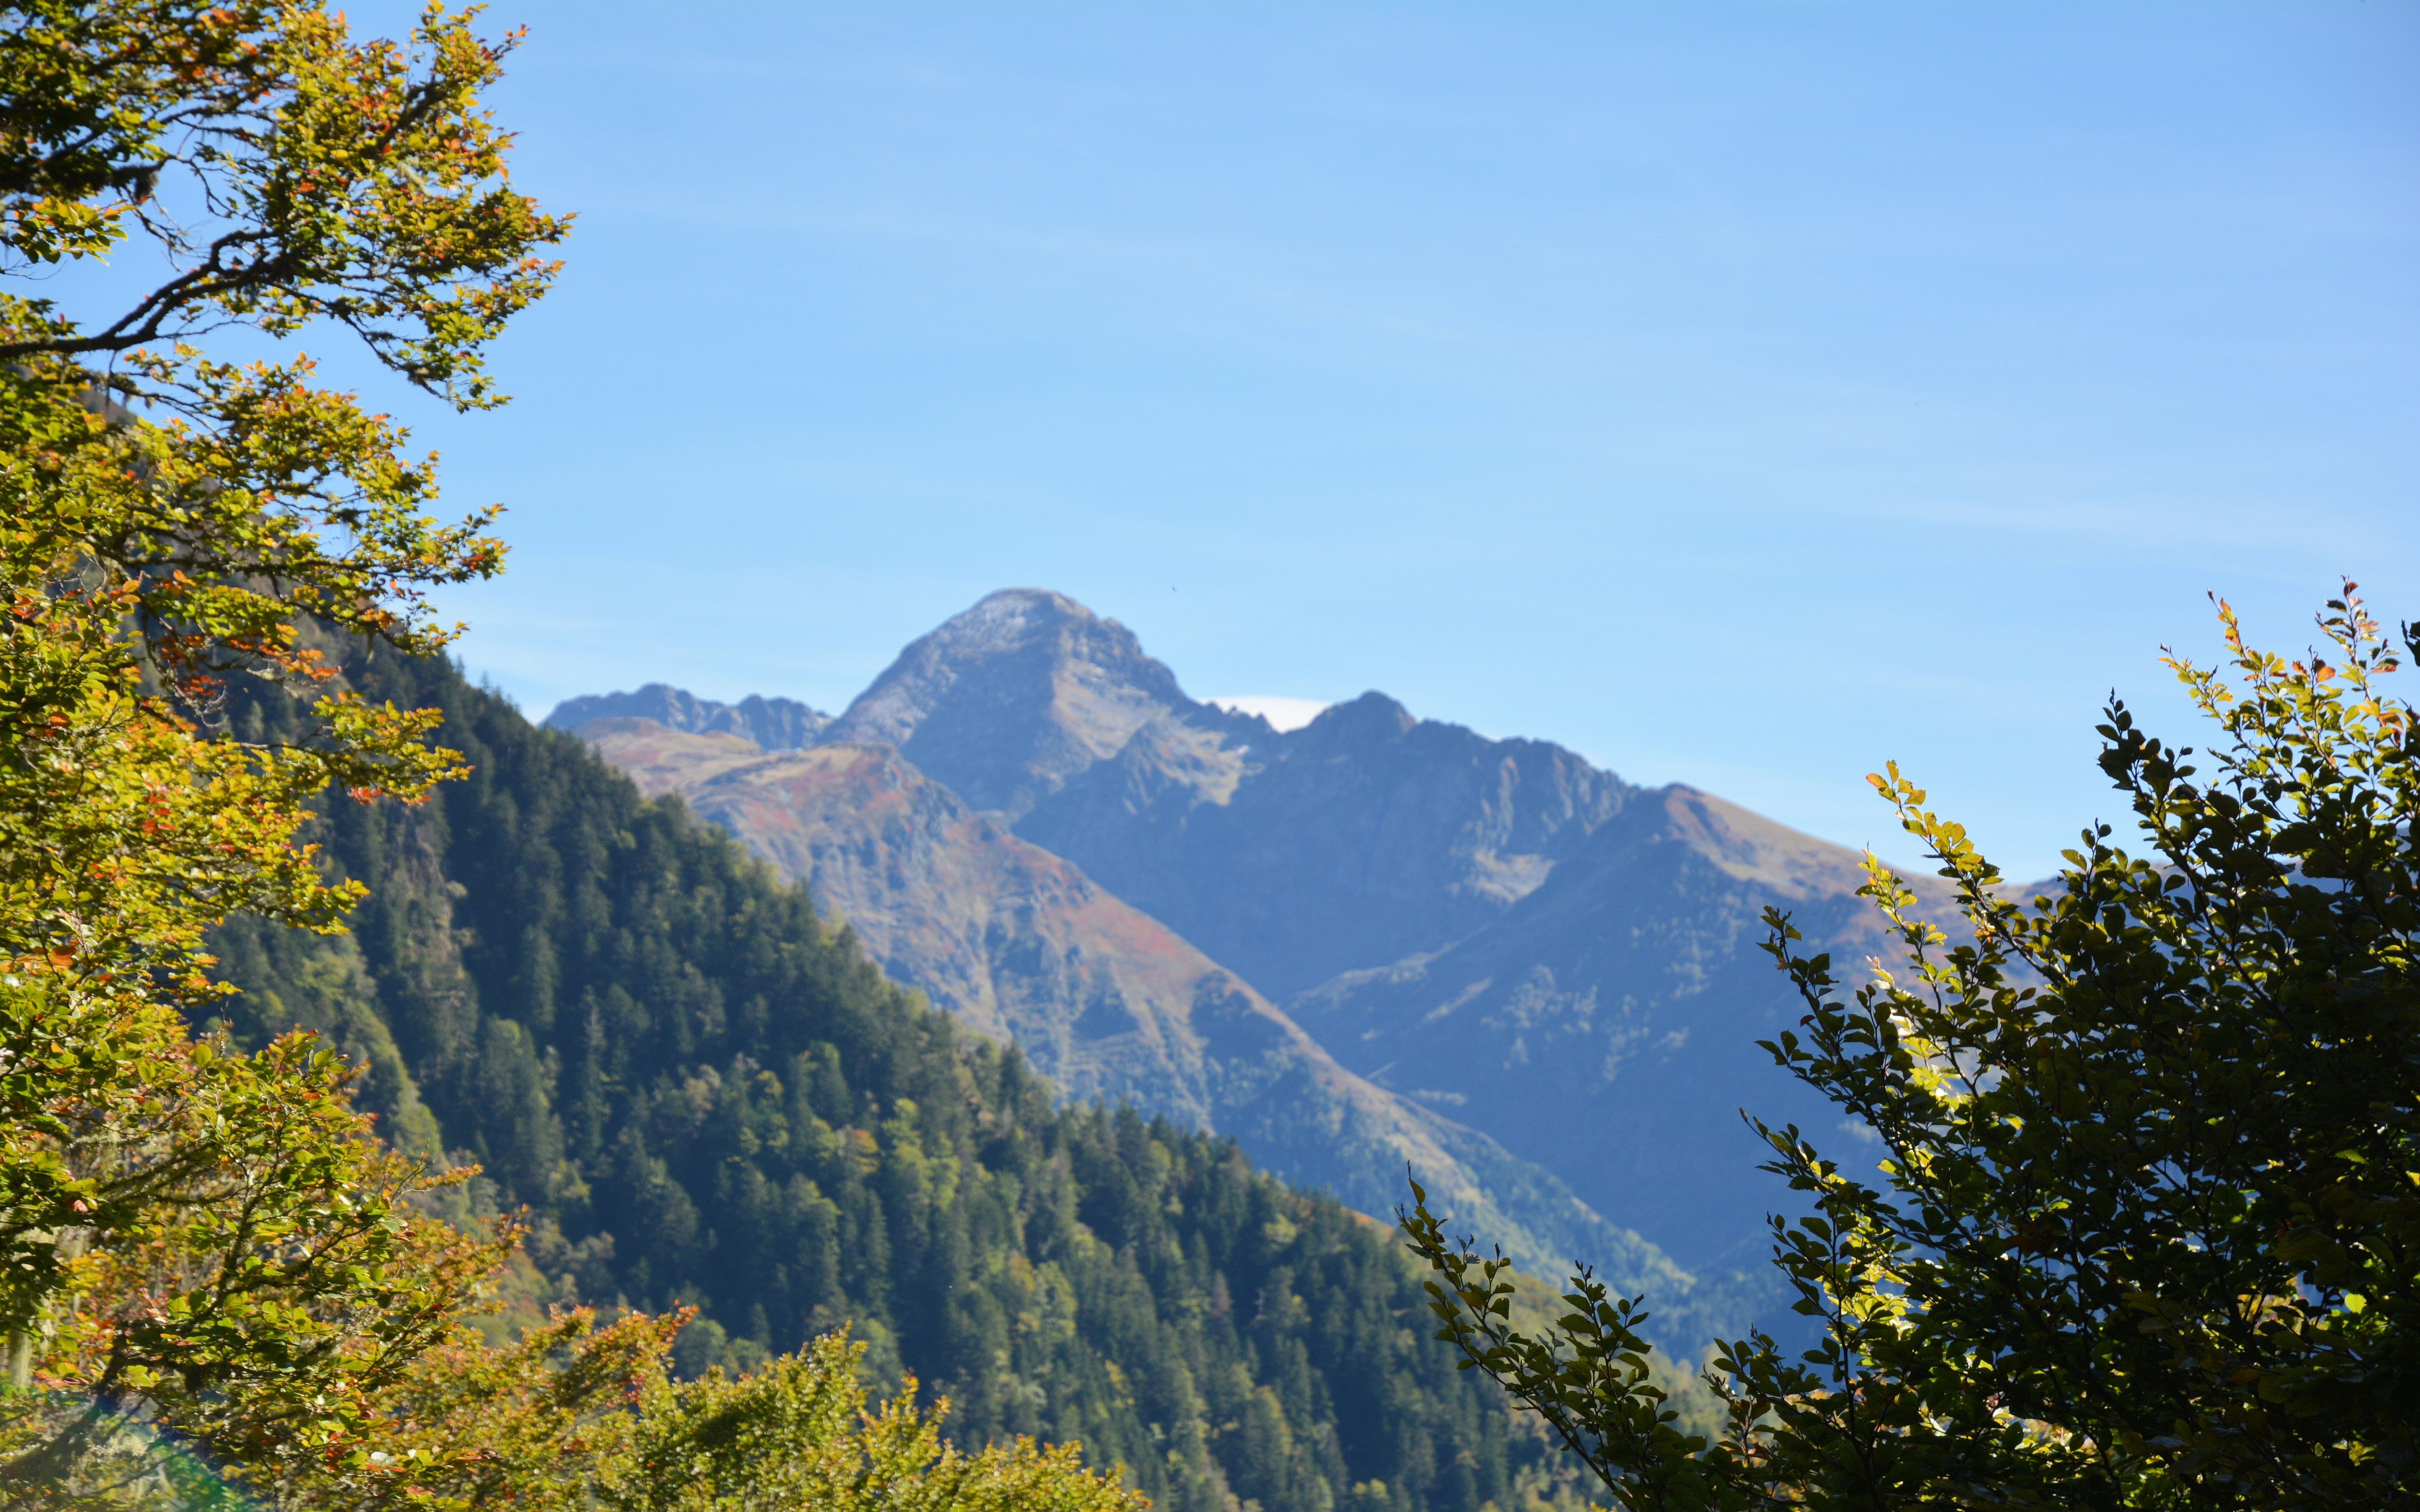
[(1352, 843)]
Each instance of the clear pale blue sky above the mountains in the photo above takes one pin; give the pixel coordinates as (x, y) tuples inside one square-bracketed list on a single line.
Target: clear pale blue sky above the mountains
[(1739, 396)]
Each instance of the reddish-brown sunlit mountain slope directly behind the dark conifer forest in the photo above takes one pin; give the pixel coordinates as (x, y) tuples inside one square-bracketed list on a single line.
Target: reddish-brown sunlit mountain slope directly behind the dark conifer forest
[(1112, 1005)]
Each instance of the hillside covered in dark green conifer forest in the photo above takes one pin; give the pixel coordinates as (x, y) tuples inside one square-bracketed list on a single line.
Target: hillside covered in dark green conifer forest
[(713, 1100)]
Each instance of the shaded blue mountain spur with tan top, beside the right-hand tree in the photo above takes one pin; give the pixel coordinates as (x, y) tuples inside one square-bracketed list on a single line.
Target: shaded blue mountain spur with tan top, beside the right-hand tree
[(1618, 1012)]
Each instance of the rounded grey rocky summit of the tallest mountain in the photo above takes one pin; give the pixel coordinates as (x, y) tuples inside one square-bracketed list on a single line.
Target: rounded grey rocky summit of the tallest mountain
[(1013, 698)]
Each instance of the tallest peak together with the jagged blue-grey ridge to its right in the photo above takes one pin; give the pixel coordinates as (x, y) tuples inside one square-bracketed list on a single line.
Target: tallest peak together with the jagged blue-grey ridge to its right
[(1289, 858)]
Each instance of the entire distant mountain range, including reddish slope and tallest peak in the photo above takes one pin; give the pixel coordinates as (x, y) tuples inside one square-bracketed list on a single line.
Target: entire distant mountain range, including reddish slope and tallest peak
[(1356, 945)]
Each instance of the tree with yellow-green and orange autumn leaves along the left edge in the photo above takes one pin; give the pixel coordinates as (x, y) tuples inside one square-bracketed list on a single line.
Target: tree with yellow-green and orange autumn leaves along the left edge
[(192, 1240)]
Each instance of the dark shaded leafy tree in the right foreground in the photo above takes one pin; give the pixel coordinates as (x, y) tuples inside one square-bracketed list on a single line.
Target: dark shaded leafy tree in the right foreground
[(2148, 1233)]
